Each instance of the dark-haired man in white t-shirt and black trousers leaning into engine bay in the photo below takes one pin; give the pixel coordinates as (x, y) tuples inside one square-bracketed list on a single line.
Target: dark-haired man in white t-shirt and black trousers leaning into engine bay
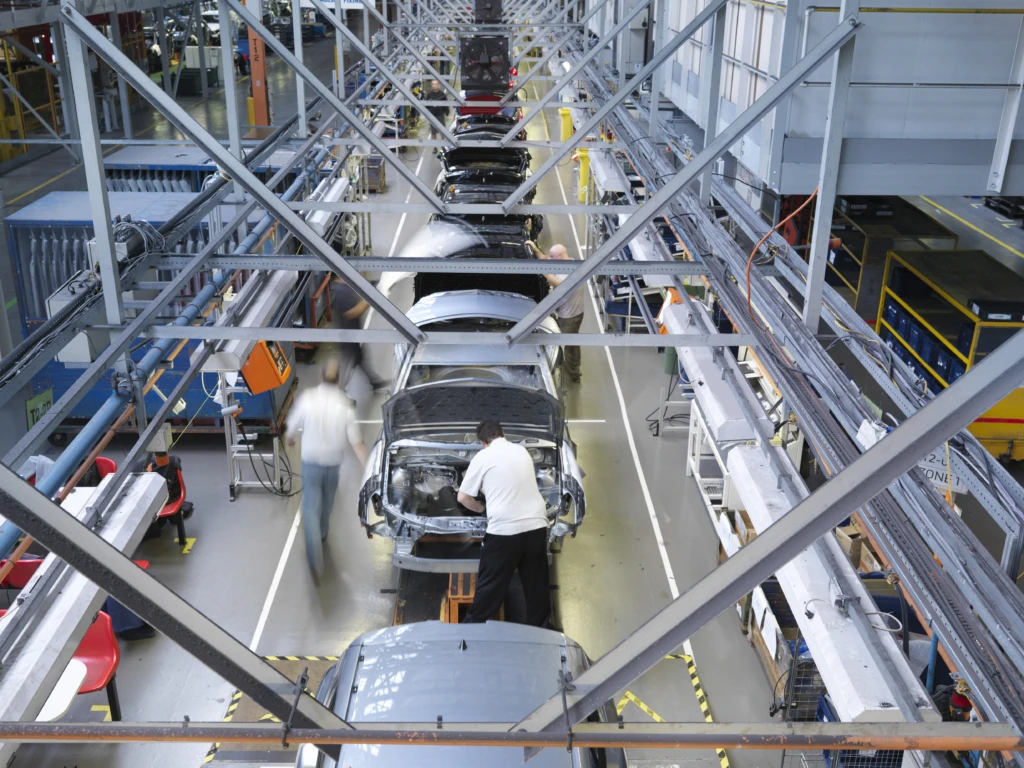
[(518, 527)]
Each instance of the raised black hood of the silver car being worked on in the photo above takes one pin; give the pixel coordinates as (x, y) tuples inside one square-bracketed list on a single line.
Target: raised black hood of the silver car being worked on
[(459, 406)]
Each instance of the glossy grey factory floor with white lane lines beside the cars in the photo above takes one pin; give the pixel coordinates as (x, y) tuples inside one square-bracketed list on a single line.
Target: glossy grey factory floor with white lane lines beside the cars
[(247, 568)]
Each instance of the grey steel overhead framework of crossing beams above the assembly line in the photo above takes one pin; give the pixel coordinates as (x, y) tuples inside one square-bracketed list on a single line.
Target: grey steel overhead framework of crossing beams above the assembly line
[(883, 484)]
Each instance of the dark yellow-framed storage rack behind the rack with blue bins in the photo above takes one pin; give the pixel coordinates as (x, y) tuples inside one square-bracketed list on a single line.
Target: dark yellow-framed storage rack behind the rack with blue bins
[(869, 229)]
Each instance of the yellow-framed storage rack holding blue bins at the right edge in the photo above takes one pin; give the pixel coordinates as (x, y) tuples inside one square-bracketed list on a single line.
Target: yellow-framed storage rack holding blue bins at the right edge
[(942, 313)]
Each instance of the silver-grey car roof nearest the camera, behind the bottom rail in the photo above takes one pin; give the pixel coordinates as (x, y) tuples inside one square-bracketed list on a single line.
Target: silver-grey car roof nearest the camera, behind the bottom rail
[(418, 672)]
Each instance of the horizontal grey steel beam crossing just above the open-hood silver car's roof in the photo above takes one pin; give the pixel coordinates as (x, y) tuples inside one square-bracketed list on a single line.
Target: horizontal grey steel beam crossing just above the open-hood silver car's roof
[(373, 336)]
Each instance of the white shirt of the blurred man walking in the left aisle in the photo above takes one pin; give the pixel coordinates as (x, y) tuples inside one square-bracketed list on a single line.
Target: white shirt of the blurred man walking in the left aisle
[(325, 417)]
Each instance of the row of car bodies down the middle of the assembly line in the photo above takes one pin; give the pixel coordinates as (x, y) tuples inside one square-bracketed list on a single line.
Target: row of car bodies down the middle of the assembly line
[(430, 671)]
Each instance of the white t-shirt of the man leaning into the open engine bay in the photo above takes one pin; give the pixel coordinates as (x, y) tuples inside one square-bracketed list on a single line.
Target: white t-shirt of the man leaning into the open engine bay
[(506, 475)]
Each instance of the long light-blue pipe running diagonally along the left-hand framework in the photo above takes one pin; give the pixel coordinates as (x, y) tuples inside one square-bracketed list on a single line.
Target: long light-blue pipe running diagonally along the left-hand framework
[(82, 446)]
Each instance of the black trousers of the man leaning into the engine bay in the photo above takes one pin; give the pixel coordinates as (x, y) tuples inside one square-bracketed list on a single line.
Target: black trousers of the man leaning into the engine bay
[(500, 558)]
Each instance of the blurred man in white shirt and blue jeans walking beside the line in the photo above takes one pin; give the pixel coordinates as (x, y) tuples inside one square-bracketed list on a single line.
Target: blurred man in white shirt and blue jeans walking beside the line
[(325, 417)]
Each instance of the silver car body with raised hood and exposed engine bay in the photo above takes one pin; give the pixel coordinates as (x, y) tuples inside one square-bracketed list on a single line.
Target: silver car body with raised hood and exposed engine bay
[(429, 439)]
